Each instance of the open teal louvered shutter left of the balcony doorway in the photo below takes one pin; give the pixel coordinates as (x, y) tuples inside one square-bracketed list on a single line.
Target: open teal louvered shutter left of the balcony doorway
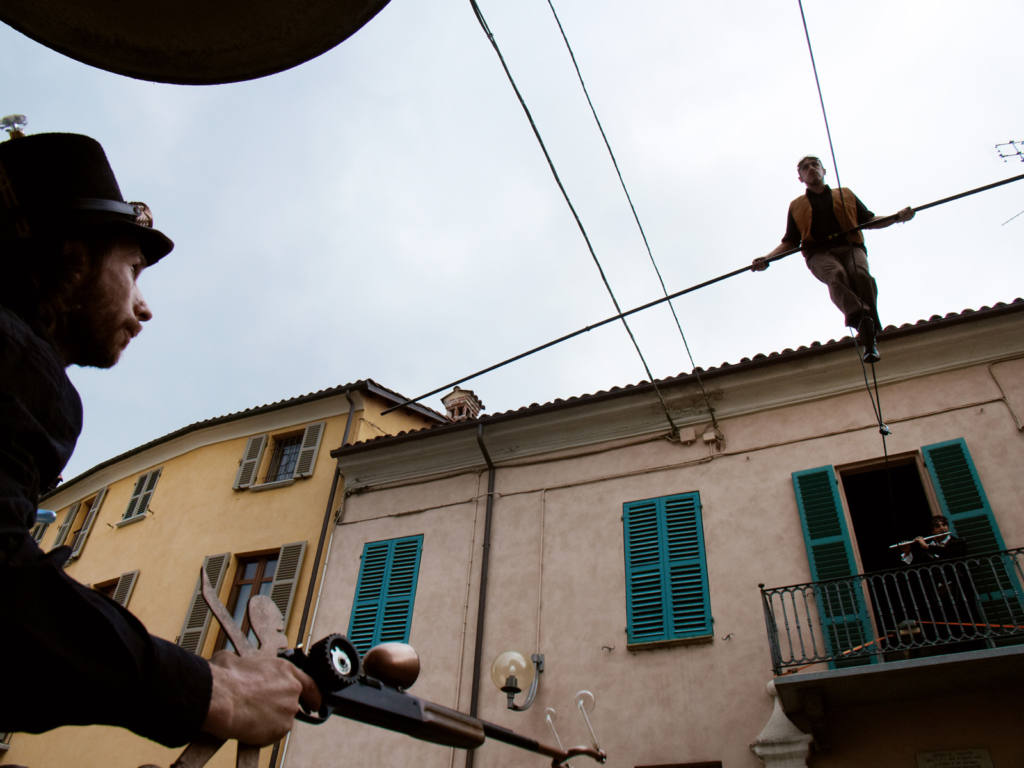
[(842, 608)]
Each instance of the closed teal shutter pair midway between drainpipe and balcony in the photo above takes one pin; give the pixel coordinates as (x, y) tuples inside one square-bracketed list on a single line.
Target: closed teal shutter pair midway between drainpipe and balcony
[(667, 594)]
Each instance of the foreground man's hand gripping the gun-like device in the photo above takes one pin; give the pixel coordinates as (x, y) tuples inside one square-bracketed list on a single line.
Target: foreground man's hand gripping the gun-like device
[(255, 699)]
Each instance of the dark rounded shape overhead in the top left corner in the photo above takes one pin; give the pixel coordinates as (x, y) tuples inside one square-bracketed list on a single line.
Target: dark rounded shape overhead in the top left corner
[(197, 42)]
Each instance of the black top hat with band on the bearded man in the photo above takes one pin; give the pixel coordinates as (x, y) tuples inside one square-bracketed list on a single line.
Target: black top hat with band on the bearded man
[(62, 185)]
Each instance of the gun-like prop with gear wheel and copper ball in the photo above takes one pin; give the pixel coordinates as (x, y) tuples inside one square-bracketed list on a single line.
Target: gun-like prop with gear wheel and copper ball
[(371, 690)]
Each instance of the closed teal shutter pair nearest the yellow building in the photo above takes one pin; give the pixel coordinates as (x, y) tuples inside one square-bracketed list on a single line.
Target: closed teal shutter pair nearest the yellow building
[(386, 592)]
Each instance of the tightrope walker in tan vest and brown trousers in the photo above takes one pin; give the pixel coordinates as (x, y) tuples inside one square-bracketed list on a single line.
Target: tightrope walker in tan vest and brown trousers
[(819, 223)]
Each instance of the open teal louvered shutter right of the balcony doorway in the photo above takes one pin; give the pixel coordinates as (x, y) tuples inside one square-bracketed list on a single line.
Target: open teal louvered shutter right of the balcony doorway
[(963, 500)]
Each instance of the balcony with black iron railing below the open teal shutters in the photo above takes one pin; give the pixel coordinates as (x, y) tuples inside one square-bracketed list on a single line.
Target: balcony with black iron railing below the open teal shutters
[(914, 632)]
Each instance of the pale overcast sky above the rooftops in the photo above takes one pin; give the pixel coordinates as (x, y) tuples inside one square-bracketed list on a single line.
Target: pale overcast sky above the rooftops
[(385, 211)]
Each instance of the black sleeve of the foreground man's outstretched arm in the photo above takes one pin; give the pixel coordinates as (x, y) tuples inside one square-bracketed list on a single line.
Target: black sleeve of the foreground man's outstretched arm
[(69, 656)]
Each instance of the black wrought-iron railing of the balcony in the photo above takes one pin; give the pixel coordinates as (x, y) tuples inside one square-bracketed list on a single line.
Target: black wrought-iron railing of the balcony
[(938, 608)]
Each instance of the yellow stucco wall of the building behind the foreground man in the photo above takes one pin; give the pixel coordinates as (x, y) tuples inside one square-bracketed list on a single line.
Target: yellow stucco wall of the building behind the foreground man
[(195, 513)]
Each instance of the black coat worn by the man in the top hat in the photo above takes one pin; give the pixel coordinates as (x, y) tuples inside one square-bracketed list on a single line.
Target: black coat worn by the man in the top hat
[(69, 656)]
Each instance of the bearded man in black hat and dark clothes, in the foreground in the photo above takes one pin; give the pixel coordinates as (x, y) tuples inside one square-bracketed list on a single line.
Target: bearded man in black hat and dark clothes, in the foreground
[(71, 251)]
